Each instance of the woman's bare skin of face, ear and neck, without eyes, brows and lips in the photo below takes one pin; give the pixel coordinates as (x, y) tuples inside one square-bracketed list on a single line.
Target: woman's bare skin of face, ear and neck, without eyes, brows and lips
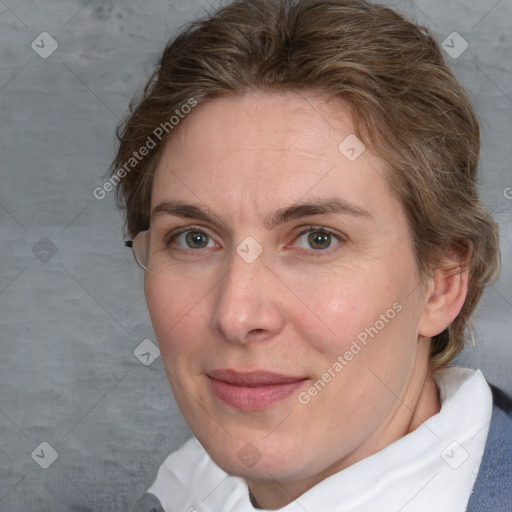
[(288, 311)]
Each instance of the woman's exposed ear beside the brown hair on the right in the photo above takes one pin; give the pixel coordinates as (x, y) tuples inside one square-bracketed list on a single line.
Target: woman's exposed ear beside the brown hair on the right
[(446, 292)]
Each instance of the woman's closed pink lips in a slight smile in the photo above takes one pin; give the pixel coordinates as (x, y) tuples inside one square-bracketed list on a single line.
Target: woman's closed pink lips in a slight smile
[(254, 390)]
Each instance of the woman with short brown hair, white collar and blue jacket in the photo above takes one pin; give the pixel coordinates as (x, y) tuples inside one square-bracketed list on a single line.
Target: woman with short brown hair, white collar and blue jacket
[(299, 181)]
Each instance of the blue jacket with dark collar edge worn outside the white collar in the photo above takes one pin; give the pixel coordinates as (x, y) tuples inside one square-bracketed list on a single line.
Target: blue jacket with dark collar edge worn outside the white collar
[(492, 491)]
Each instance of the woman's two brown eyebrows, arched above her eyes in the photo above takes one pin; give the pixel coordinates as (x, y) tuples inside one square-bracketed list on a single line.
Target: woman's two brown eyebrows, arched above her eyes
[(324, 206)]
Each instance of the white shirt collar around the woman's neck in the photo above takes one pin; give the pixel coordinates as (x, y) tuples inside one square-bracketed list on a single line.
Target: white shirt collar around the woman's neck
[(432, 469)]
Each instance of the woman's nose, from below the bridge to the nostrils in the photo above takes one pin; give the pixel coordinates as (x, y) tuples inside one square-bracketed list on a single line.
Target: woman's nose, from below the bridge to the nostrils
[(247, 302)]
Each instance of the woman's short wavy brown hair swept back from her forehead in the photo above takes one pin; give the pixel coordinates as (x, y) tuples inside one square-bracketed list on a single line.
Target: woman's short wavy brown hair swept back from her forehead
[(407, 107)]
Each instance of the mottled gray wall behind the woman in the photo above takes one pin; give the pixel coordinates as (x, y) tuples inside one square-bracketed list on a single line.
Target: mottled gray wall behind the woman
[(70, 321)]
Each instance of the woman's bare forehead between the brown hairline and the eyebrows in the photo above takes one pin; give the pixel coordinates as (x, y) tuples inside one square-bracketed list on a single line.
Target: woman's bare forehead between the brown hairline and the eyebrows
[(267, 150)]
